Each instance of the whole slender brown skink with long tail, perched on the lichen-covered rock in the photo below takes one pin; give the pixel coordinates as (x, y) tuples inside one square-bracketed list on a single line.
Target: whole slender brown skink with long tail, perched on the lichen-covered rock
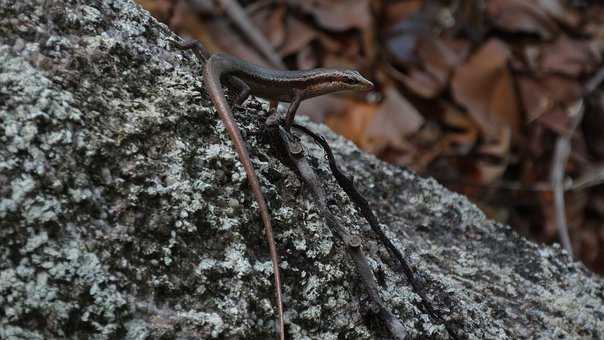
[(275, 85)]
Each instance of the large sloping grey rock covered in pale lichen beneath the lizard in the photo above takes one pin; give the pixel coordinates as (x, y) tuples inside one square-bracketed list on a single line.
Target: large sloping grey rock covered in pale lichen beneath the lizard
[(124, 212)]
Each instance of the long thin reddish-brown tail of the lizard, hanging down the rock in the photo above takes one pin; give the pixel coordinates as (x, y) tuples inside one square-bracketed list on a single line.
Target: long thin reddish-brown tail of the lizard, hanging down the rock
[(213, 71)]
